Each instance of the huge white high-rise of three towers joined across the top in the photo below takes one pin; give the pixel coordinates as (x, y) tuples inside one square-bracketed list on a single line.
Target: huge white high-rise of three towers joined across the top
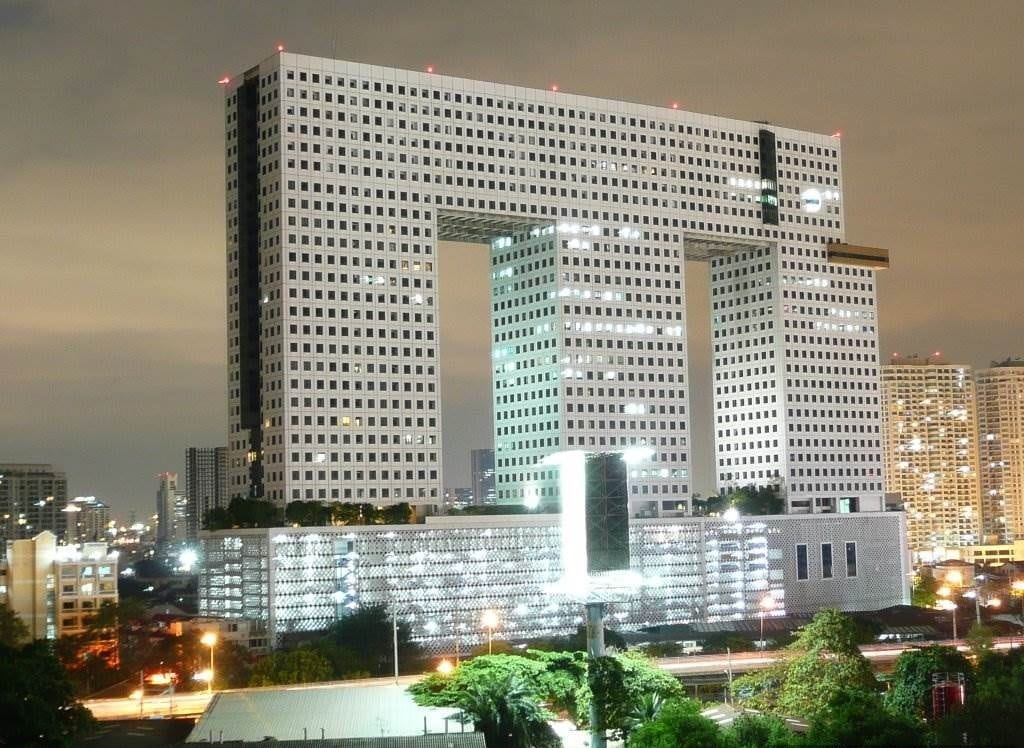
[(342, 180)]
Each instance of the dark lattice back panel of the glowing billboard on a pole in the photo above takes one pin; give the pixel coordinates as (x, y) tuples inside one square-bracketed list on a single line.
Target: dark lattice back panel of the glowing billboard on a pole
[(608, 514)]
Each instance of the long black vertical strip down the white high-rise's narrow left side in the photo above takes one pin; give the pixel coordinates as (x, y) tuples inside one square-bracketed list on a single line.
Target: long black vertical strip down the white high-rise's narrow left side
[(249, 284)]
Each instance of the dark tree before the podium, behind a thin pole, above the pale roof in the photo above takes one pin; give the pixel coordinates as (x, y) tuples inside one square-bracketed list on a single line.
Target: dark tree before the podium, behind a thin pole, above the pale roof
[(362, 645)]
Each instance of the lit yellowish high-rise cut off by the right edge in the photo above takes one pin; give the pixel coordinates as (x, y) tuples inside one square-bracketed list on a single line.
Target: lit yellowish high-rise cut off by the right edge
[(1001, 443)]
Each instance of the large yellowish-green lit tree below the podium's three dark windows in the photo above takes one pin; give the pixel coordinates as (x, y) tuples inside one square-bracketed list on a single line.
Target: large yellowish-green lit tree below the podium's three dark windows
[(823, 662)]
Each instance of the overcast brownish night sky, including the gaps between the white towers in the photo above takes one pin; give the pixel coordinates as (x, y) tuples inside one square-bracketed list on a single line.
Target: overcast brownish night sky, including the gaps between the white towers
[(112, 331)]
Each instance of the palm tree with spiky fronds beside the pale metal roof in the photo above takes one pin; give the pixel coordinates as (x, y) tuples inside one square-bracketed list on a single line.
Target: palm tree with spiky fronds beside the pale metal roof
[(508, 715)]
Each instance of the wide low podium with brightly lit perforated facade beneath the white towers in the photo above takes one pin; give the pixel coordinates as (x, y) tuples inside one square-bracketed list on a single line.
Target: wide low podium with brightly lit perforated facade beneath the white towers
[(441, 576)]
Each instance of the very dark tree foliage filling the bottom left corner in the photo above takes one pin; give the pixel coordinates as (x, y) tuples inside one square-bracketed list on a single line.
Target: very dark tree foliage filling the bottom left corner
[(36, 699)]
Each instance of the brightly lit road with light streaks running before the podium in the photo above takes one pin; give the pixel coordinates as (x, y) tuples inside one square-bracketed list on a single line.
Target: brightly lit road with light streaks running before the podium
[(194, 703)]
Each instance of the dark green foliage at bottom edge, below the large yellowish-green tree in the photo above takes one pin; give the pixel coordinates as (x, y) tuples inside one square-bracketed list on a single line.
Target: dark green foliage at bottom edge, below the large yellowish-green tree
[(858, 719)]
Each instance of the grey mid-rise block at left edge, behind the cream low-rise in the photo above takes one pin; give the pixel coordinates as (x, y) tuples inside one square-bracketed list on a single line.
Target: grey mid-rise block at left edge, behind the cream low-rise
[(32, 500)]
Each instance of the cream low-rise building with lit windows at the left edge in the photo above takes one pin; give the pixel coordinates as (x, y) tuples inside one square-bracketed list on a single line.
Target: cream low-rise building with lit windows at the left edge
[(55, 590)]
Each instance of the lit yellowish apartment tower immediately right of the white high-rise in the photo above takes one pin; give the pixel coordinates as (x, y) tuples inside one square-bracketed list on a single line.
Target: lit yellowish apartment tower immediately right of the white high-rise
[(931, 440)]
